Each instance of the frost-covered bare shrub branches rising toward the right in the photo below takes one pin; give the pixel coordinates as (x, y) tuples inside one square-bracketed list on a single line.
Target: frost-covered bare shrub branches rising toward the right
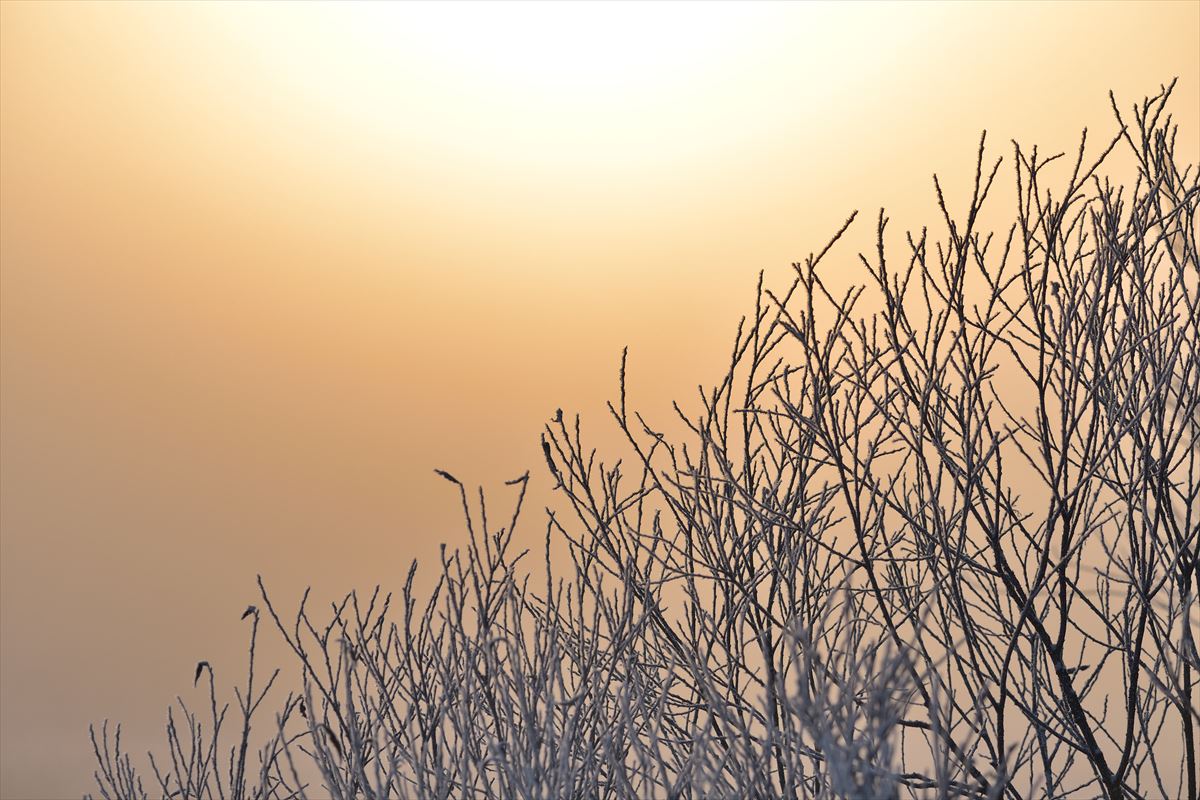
[(946, 548)]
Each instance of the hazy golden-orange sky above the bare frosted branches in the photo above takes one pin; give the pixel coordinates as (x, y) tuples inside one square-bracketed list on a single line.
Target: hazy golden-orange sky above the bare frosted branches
[(265, 267)]
